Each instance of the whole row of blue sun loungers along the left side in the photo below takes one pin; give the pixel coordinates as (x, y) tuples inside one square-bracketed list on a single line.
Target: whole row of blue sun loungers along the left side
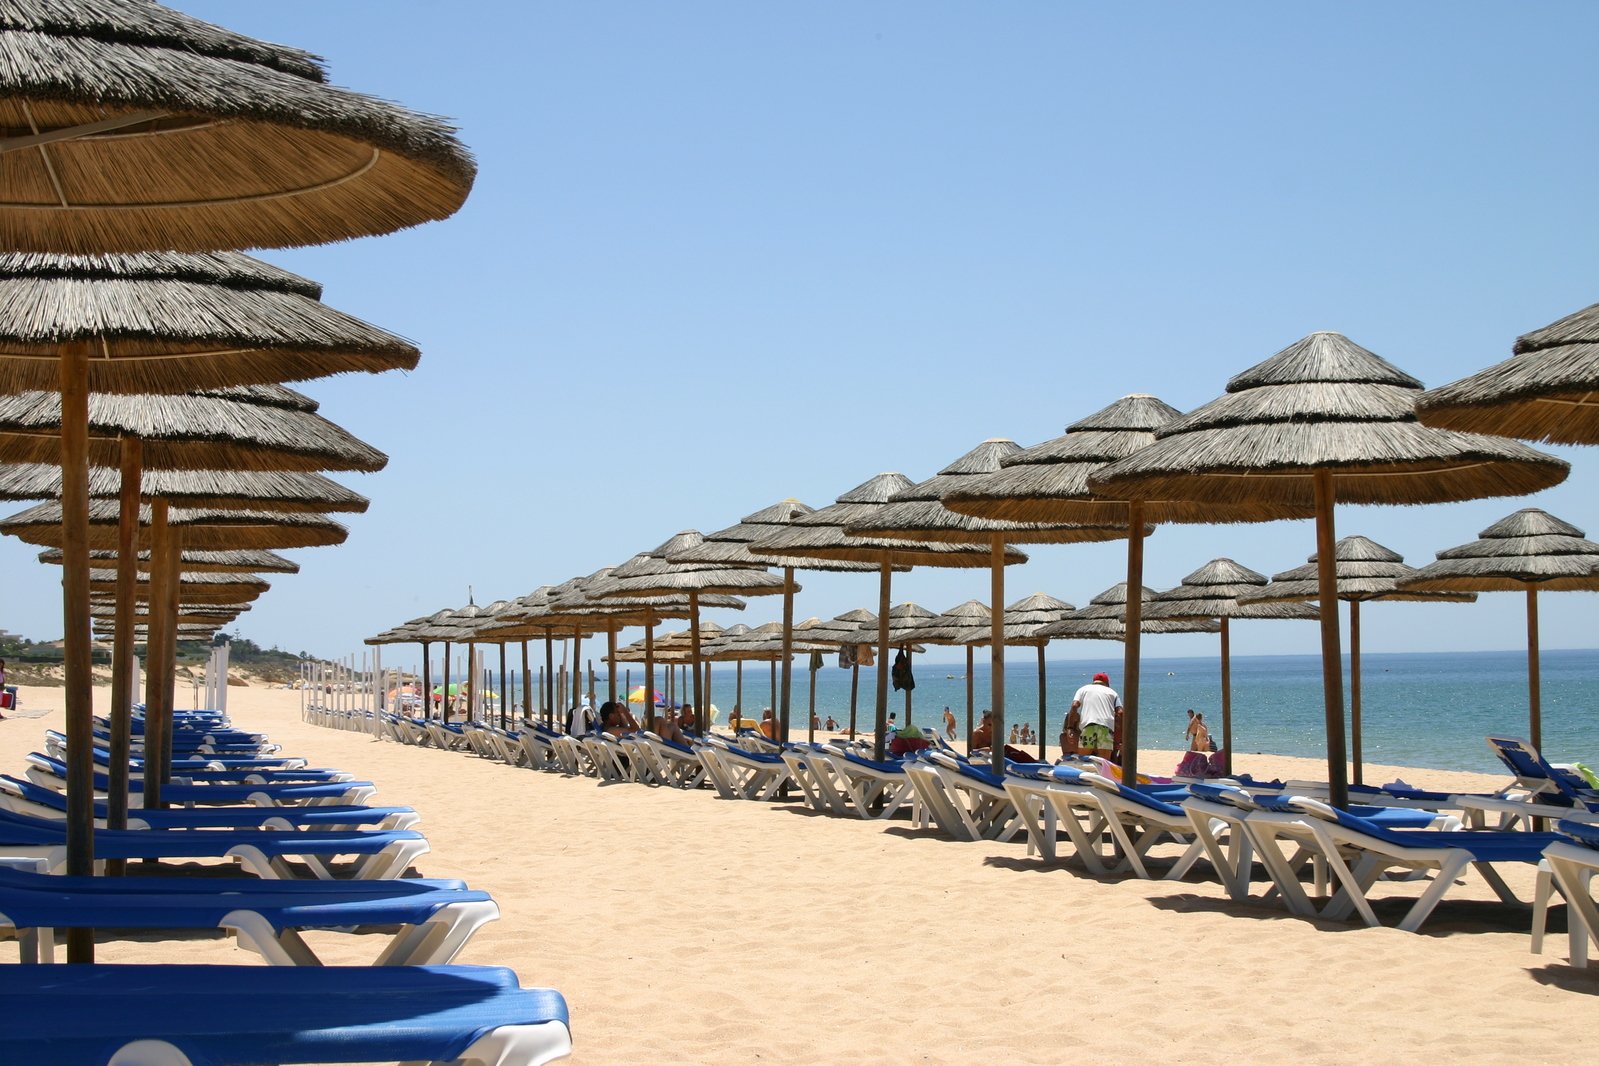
[(324, 859)]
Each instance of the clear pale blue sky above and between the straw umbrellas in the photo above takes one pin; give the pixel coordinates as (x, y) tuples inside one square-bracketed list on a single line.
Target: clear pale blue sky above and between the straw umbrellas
[(720, 255)]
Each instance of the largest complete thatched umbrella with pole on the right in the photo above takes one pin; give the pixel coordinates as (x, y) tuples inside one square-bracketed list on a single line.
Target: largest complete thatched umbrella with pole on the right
[(1318, 423)]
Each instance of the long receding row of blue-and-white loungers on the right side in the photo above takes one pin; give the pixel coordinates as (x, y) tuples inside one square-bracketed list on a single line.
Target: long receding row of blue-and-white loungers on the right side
[(1312, 859)]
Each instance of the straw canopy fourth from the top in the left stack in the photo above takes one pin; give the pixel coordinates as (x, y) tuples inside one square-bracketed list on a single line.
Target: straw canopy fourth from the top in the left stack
[(268, 490)]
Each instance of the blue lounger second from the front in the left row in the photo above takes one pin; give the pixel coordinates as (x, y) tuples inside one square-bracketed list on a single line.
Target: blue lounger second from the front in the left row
[(433, 920)]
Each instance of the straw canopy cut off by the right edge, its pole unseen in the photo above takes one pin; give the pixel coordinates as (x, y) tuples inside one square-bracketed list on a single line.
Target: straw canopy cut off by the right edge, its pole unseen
[(1549, 391)]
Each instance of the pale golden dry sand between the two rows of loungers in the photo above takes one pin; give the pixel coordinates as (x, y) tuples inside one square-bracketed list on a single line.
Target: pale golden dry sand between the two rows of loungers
[(688, 929)]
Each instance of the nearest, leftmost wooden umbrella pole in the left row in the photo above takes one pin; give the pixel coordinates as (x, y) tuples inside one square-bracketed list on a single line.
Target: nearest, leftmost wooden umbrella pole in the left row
[(76, 615)]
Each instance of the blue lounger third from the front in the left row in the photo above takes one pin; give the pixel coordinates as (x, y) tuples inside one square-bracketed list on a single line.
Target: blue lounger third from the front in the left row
[(386, 854)]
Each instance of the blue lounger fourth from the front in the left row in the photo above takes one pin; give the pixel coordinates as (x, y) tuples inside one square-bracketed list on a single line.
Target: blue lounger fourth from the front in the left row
[(47, 803)]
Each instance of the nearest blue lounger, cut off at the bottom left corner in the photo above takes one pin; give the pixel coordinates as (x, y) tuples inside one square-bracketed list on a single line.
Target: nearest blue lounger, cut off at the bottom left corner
[(215, 1016)]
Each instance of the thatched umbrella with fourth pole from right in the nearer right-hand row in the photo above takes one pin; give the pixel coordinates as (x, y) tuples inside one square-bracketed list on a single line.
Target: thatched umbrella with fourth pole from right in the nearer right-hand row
[(823, 536)]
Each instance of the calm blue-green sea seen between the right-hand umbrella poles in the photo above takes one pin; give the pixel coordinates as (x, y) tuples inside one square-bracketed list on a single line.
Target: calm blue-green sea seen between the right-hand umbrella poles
[(1427, 710)]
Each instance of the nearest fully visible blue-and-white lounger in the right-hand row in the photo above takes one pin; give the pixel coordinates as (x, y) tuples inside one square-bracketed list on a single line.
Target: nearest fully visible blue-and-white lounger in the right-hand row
[(1341, 835)]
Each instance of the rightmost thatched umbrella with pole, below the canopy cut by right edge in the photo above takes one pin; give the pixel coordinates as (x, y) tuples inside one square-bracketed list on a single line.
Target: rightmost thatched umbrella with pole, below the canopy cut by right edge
[(1525, 552)]
